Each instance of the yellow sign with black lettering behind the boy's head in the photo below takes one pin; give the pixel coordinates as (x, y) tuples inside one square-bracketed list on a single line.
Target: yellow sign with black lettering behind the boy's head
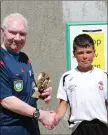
[(99, 60)]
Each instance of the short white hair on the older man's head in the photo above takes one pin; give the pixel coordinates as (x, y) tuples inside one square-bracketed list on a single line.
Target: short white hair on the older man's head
[(5, 20)]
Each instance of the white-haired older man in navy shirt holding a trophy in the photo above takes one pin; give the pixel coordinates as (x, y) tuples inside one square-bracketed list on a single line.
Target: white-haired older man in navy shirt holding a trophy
[(19, 114)]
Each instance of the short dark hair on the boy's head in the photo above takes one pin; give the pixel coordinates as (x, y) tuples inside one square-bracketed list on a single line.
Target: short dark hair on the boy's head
[(82, 40)]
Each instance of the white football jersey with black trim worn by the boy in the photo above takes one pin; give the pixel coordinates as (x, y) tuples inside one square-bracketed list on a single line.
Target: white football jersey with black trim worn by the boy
[(86, 93)]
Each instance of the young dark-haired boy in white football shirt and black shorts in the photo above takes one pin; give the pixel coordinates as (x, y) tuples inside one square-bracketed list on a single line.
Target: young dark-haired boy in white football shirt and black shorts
[(85, 90)]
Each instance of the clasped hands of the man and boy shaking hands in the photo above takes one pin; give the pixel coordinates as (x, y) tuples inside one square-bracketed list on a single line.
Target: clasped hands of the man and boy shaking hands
[(49, 119)]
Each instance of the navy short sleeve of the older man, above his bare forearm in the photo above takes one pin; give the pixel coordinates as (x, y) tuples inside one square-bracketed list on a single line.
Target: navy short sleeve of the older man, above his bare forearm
[(5, 82)]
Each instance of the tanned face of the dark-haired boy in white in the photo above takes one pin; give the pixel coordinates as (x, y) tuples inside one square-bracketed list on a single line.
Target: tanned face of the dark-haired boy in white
[(84, 56)]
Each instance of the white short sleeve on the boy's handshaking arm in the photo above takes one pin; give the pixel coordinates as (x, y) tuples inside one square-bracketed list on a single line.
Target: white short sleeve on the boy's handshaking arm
[(62, 94)]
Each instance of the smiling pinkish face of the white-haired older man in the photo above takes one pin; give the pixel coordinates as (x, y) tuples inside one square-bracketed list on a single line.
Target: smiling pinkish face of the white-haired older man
[(14, 35)]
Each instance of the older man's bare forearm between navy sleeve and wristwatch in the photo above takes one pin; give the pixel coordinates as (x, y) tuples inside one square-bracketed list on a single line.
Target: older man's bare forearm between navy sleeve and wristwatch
[(16, 105)]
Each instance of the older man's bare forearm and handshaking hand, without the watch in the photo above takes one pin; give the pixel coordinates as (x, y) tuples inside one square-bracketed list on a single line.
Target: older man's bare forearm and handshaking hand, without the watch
[(16, 105)]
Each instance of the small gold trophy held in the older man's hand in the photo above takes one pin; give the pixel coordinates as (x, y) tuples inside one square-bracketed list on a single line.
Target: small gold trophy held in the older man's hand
[(43, 83)]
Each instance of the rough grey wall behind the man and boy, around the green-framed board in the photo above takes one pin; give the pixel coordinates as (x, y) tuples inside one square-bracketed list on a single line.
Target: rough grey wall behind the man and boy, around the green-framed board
[(46, 39)]
